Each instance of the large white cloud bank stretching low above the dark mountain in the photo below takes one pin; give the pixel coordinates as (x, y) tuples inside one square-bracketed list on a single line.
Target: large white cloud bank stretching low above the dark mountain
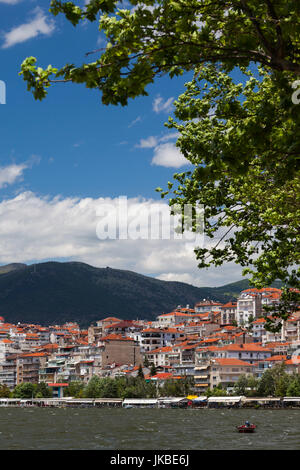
[(34, 228)]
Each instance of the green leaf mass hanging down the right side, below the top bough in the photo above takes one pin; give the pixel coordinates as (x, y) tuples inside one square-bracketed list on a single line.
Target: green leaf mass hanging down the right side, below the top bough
[(242, 141)]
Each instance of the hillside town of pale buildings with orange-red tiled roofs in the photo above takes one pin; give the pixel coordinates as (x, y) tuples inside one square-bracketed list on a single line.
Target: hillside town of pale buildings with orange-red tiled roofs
[(213, 348)]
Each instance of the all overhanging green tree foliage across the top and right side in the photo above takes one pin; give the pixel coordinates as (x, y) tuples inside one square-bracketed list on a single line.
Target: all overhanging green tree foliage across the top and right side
[(242, 139)]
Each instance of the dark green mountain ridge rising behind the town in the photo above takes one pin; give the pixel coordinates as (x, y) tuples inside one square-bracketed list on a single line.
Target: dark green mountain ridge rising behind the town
[(53, 292)]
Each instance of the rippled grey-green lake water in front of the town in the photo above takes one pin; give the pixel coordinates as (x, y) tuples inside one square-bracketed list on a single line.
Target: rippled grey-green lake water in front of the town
[(142, 429)]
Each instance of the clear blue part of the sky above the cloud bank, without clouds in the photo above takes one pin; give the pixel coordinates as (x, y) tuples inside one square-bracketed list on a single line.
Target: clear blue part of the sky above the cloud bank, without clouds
[(89, 145)]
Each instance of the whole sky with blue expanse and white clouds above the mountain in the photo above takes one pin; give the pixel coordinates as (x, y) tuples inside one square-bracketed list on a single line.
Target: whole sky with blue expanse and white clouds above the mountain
[(66, 159)]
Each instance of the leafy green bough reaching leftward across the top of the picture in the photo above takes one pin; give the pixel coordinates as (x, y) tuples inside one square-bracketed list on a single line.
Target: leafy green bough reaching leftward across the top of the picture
[(154, 37)]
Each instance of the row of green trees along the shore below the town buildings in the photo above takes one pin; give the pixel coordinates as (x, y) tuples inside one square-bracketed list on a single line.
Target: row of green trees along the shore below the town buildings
[(274, 382)]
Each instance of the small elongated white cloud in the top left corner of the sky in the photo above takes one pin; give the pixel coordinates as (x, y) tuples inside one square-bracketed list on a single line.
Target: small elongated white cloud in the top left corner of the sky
[(39, 24)]
